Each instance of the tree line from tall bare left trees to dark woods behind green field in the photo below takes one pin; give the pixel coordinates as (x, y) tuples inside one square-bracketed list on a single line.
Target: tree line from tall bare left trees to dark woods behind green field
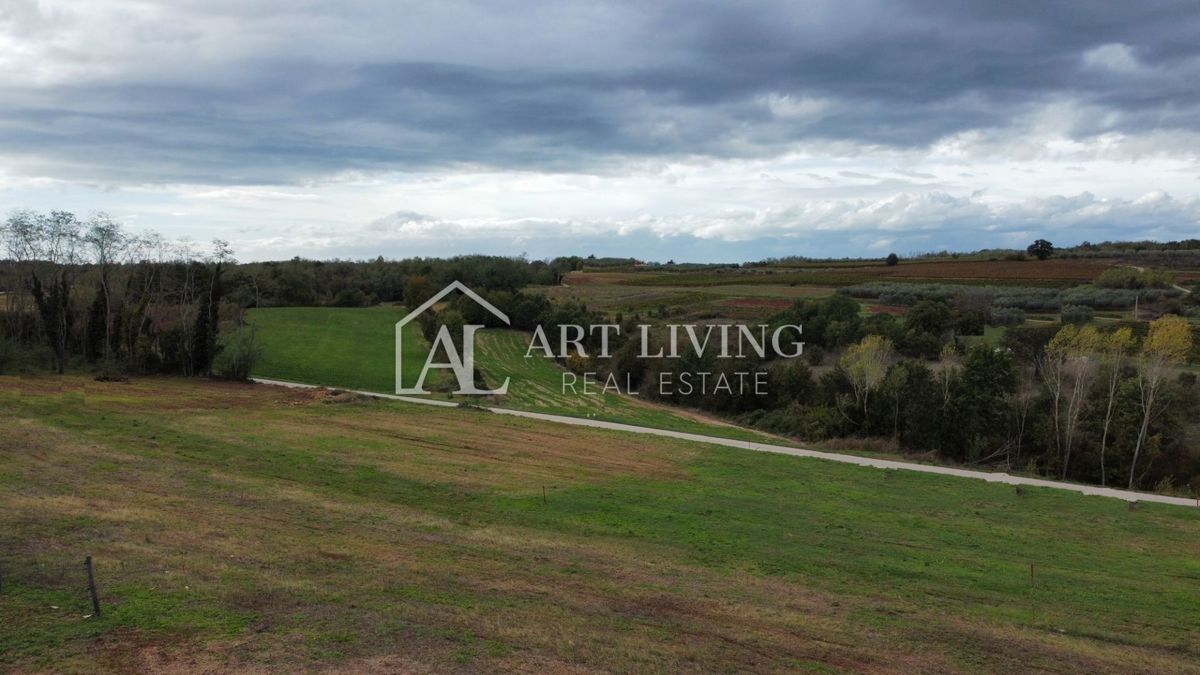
[(88, 291)]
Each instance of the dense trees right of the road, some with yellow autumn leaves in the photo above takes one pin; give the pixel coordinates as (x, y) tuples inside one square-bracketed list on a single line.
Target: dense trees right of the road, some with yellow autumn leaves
[(1114, 405)]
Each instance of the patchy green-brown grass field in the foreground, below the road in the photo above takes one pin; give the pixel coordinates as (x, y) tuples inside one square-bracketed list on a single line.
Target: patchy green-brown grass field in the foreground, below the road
[(250, 528)]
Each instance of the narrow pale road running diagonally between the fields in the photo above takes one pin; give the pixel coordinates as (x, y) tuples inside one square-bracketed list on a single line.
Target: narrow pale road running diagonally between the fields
[(992, 477)]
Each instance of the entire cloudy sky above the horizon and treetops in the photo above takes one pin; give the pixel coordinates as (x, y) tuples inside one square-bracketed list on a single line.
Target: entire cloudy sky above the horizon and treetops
[(663, 130)]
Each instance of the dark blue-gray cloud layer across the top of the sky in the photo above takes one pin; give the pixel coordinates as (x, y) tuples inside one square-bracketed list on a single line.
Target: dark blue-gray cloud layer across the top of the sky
[(273, 93)]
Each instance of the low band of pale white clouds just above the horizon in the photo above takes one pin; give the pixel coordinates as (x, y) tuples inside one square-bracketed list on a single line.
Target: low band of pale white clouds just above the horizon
[(904, 223)]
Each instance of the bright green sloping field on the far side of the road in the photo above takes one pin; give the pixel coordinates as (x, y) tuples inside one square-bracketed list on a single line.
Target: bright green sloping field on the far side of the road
[(355, 349)]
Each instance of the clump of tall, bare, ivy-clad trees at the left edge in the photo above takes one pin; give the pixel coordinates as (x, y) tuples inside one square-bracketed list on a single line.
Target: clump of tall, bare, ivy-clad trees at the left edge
[(88, 291)]
